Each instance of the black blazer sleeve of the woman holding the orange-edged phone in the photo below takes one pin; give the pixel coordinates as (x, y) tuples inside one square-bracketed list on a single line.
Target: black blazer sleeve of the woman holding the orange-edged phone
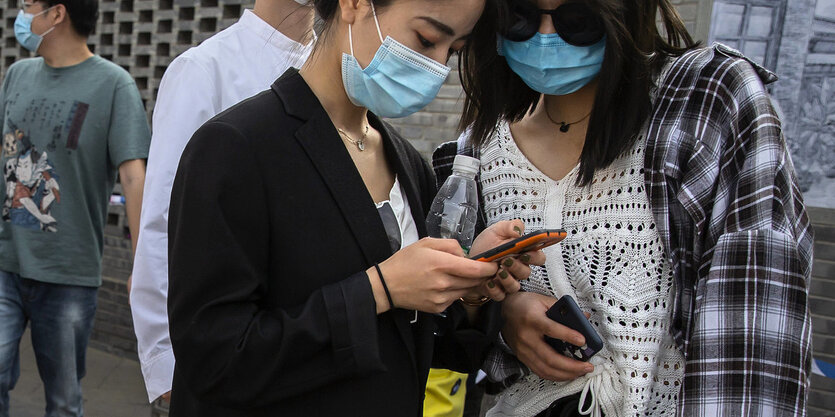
[(232, 348)]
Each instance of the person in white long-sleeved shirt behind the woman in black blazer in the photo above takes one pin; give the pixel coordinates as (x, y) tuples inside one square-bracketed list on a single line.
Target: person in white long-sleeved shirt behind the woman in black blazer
[(232, 65)]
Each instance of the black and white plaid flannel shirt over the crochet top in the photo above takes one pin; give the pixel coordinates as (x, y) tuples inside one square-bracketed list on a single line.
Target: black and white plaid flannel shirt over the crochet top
[(725, 199)]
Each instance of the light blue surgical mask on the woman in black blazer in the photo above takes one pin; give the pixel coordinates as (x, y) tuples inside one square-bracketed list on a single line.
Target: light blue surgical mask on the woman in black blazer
[(397, 82)]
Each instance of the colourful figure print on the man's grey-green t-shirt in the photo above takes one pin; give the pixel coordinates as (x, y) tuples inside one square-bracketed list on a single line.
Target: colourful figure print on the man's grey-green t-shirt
[(31, 184)]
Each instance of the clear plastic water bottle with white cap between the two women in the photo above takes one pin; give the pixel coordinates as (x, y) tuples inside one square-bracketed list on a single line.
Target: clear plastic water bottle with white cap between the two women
[(454, 210)]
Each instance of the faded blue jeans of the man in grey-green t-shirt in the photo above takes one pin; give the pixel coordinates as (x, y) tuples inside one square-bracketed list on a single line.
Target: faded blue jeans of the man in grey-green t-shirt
[(61, 318)]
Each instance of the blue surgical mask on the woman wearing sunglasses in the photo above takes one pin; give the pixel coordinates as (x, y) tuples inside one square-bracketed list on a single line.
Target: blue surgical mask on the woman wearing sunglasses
[(549, 65)]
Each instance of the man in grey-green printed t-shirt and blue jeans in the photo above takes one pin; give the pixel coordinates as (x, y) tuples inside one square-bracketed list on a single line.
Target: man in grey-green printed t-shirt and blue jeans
[(70, 120)]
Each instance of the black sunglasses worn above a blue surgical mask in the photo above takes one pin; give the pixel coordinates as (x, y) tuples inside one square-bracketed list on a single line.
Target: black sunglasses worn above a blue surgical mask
[(575, 22)]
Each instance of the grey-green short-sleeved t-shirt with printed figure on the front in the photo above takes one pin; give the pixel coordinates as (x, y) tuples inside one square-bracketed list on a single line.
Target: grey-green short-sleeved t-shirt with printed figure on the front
[(65, 131)]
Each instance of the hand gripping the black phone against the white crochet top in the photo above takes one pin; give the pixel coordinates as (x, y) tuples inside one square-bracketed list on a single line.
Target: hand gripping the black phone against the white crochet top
[(526, 323)]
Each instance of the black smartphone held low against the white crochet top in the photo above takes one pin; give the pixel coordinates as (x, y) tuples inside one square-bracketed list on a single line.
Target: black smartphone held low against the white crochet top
[(566, 312)]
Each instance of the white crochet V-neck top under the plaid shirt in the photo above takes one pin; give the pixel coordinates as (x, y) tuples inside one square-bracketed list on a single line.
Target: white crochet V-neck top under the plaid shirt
[(612, 263)]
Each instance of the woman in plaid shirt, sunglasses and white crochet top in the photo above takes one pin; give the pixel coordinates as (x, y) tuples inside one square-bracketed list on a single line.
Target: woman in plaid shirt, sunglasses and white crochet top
[(714, 175)]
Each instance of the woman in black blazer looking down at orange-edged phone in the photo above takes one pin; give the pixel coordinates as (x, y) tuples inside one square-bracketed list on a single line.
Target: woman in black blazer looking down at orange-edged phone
[(276, 307)]
